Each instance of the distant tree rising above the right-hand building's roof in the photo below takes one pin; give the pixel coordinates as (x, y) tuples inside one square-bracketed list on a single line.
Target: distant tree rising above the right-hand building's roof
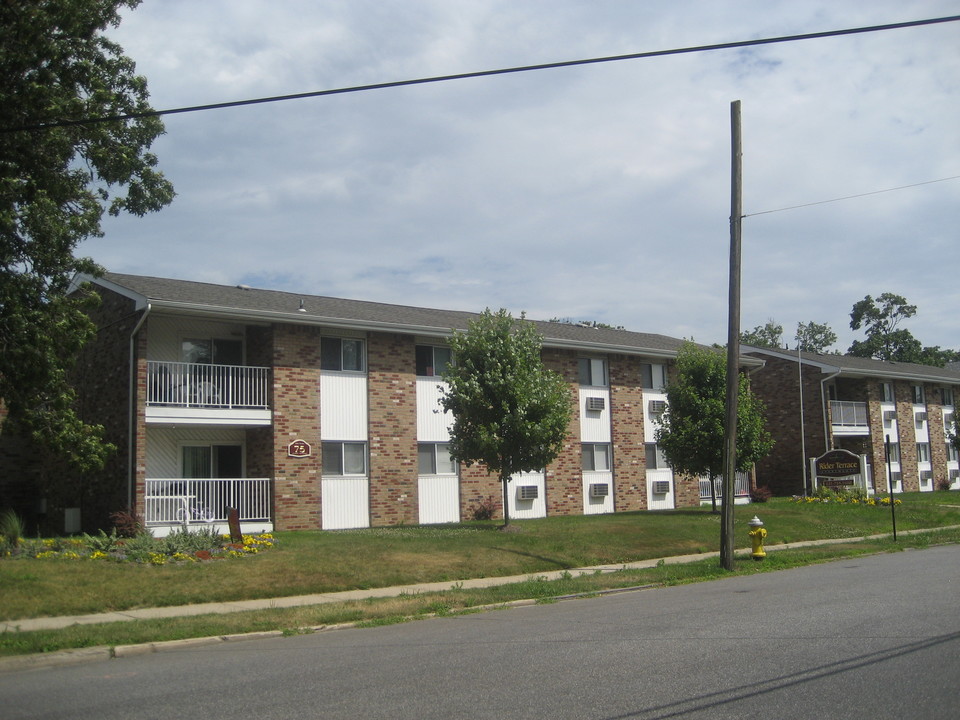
[(880, 320)]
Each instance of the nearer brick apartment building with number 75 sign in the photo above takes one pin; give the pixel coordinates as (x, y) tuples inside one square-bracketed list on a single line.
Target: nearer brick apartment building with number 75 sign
[(315, 412)]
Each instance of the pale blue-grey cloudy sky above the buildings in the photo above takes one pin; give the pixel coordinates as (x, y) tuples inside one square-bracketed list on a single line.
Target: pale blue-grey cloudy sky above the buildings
[(597, 192)]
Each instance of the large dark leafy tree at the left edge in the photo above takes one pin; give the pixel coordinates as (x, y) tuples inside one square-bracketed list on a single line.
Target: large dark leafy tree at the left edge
[(59, 172)]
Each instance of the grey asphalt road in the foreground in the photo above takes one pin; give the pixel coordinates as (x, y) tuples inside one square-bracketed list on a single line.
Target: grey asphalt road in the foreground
[(873, 637)]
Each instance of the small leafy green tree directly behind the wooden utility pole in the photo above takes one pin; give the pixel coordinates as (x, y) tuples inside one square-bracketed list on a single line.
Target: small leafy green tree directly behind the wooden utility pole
[(691, 430)]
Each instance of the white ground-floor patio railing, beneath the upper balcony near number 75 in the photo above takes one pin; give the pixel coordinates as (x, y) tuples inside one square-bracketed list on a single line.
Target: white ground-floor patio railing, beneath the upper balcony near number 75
[(176, 500)]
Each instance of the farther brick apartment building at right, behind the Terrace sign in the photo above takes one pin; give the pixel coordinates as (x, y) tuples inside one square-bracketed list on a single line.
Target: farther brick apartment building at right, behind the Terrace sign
[(857, 404)]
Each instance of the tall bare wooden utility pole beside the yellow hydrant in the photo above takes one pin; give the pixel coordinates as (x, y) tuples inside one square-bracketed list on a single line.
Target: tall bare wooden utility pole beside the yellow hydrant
[(733, 347)]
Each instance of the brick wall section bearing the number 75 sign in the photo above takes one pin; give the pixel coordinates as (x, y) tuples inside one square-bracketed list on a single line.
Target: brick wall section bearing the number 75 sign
[(296, 416)]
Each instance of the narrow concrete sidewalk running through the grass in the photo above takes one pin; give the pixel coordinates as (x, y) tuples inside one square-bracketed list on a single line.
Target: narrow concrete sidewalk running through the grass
[(56, 623)]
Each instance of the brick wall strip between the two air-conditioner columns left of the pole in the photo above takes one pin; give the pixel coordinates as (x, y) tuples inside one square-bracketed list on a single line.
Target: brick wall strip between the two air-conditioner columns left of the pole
[(627, 417)]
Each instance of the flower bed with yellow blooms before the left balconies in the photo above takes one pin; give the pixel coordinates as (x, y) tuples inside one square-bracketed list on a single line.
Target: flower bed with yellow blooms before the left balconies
[(178, 547)]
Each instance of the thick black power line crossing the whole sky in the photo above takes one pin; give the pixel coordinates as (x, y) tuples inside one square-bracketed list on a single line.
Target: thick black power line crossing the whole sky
[(487, 73)]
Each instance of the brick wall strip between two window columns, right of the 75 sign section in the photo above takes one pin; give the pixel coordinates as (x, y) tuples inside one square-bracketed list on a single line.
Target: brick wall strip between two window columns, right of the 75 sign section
[(392, 394)]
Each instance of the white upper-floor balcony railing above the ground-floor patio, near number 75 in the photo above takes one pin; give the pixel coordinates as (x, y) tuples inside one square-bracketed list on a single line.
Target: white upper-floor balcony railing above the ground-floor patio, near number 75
[(207, 386)]
